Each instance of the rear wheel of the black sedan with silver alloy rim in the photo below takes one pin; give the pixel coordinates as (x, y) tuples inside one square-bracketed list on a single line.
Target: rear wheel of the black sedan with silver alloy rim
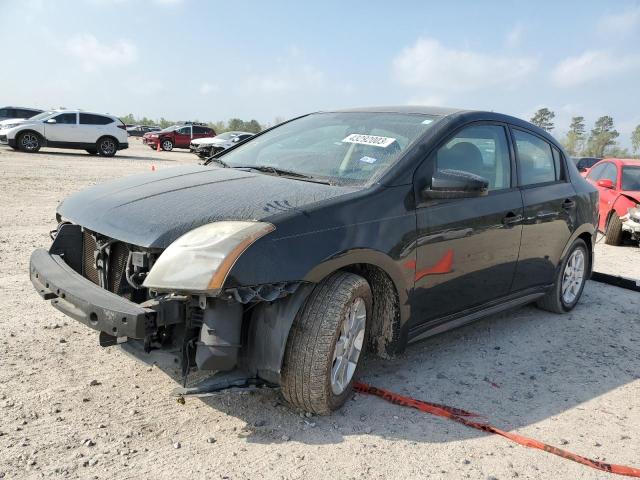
[(570, 280)]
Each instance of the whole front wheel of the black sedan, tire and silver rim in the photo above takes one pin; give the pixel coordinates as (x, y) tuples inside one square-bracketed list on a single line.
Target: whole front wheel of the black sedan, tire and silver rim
[(324, 348)]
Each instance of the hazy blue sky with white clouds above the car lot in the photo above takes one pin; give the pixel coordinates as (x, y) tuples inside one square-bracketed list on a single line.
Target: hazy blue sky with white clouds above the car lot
[(189, 59)]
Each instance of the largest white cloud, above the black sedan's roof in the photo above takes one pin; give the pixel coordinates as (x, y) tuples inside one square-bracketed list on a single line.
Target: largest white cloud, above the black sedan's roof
[(429, 65)]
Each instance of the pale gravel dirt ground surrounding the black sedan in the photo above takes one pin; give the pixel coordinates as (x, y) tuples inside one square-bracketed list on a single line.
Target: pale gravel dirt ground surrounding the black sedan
[(71, 409)]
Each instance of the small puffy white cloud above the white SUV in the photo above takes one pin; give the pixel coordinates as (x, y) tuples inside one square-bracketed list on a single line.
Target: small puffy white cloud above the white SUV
[(94, 56)]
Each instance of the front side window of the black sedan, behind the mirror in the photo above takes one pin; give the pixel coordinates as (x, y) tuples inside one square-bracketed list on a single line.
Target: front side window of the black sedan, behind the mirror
[(482, 150)]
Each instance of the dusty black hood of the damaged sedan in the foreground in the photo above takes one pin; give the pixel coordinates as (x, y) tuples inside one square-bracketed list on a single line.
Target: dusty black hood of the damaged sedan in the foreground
[(154, 209)]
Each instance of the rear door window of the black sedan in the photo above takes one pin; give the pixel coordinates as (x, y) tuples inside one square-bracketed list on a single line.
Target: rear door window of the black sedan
[(535, 159)]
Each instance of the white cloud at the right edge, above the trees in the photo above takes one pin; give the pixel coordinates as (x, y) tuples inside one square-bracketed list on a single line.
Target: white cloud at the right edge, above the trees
[(593, 65)]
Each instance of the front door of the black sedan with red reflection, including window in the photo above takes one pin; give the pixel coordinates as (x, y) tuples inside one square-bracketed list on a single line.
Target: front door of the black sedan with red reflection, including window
[(467, 248)]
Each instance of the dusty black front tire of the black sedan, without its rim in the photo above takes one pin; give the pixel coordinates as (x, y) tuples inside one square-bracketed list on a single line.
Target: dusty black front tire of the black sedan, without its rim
[(308, 360)]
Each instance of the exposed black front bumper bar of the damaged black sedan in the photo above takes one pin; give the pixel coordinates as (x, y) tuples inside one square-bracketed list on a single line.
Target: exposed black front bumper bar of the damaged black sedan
[(85, 301)]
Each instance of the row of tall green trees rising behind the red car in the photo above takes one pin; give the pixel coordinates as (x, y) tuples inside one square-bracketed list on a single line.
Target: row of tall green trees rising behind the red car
[(601, 140)]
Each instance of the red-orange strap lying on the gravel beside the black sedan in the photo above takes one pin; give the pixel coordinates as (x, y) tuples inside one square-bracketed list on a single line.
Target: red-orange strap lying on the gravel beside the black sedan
[(463, 417)]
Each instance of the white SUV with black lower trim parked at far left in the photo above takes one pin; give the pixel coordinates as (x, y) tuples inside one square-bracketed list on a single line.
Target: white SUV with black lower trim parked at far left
[(93, 132)]
